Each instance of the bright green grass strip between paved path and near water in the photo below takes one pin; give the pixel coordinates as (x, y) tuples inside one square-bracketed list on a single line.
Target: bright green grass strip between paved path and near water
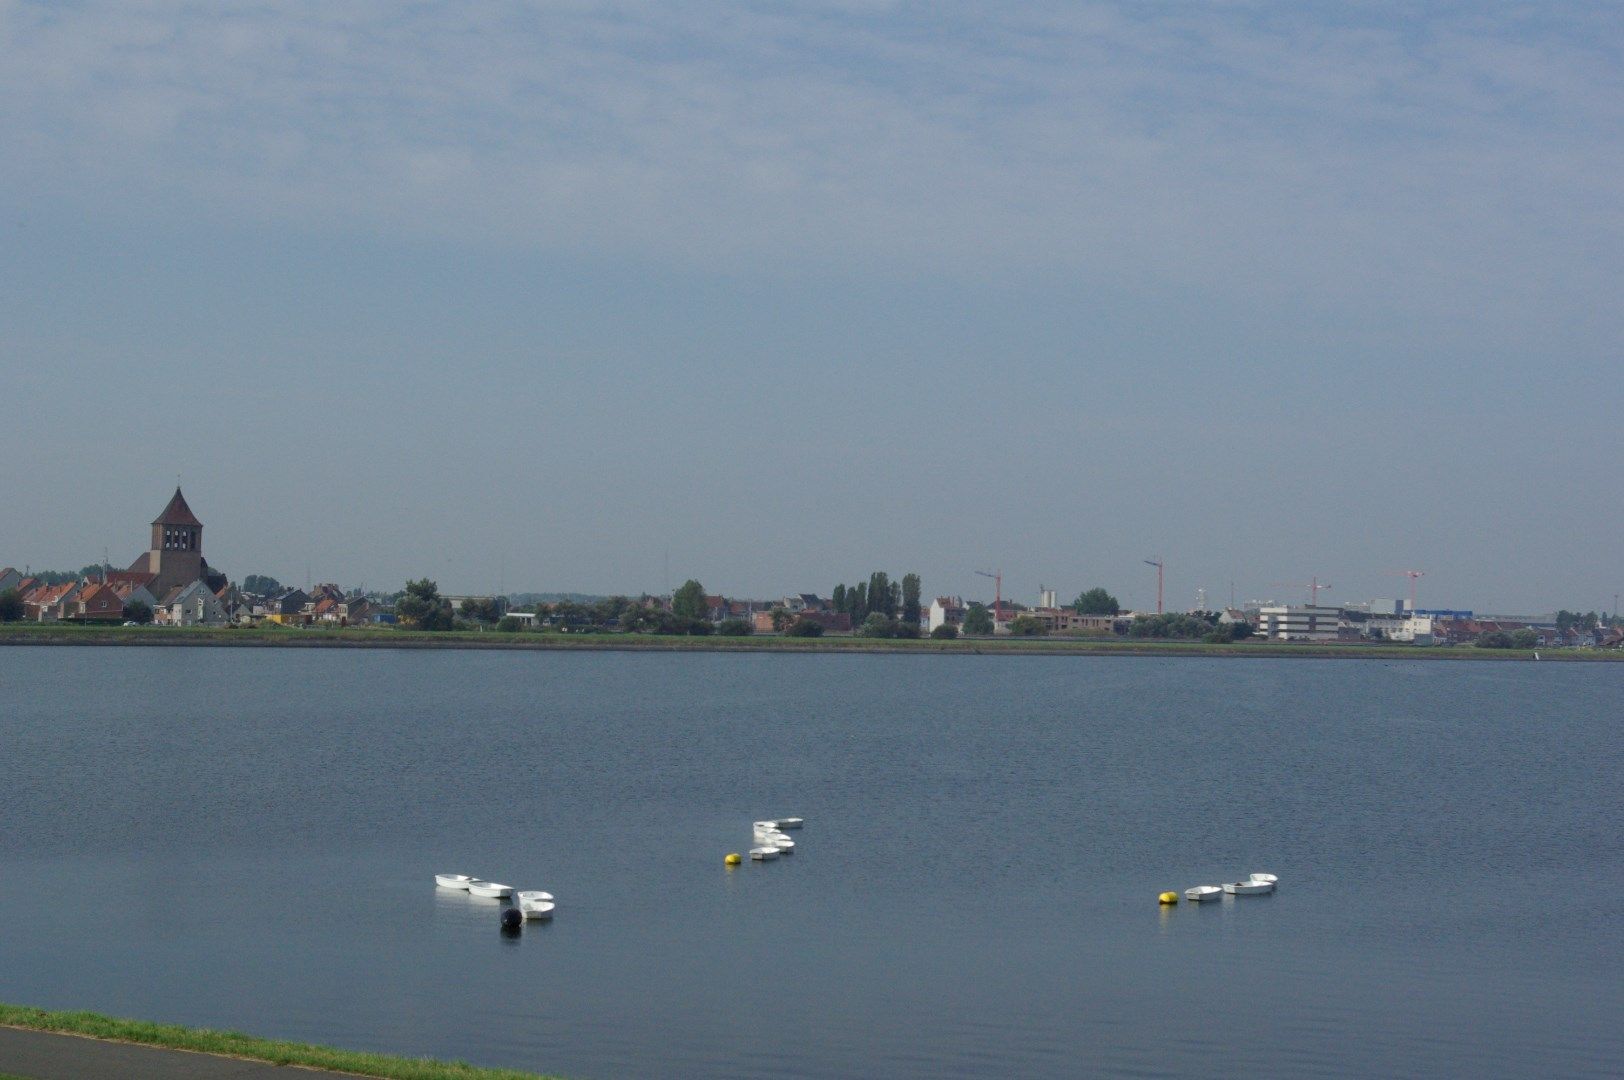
[(236, 1045)]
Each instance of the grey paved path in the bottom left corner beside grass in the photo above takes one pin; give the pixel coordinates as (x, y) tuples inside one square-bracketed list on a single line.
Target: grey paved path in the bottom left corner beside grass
[(51, 1056)]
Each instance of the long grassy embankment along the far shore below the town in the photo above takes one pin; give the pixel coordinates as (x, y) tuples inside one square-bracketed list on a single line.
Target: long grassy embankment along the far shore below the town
[(374, 637)]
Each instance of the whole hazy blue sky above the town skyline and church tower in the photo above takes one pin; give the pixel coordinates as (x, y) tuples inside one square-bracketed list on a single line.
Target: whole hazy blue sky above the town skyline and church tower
[(605, 296)]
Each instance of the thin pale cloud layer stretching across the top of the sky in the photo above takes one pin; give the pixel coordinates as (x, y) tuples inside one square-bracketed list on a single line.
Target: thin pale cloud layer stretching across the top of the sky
[(1170, 140)]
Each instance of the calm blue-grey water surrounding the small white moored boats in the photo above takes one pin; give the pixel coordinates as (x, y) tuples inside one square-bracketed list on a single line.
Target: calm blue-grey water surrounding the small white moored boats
[(248, 839)]
